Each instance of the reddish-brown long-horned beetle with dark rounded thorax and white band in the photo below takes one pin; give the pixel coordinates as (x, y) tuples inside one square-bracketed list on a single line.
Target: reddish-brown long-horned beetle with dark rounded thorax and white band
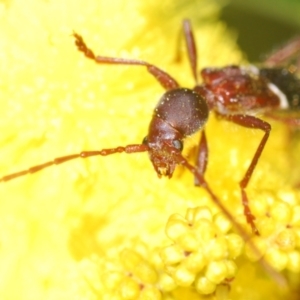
[(234, 93)]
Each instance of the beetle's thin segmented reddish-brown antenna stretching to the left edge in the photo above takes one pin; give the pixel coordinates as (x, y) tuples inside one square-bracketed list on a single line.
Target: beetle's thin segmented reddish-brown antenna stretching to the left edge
[(83, 154)]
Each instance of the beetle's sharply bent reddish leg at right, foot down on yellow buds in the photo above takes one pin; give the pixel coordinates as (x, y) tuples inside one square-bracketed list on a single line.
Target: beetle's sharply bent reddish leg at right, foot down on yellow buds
[(254, 123)]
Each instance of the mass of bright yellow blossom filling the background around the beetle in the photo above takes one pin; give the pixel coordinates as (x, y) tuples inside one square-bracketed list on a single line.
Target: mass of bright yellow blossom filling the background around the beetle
[(98, 228)]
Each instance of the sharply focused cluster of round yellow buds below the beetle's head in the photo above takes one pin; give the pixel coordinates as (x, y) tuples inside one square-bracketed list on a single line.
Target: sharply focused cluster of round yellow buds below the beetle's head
[(203, 253)]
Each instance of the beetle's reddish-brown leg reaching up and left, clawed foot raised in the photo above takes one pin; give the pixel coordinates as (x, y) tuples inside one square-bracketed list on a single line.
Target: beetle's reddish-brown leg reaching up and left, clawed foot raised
[(166, 80)]
